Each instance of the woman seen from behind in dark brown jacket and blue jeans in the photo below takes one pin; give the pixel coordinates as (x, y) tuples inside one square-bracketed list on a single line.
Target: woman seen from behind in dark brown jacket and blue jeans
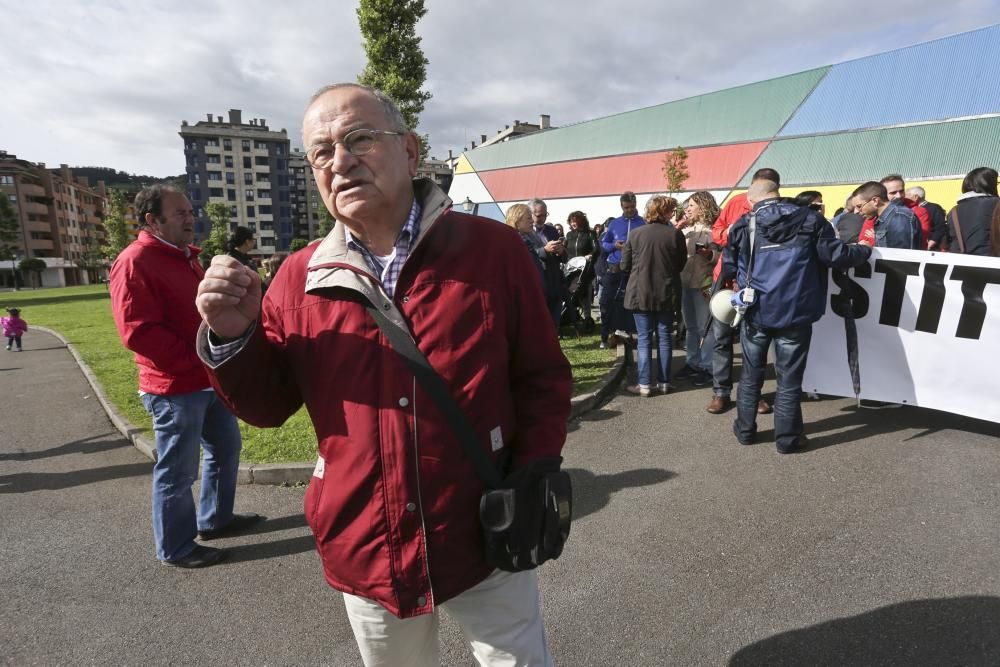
[(654, 256)]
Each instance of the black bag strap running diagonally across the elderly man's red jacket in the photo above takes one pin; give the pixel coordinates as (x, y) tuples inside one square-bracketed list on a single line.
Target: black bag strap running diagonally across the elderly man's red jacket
[(432, 383)]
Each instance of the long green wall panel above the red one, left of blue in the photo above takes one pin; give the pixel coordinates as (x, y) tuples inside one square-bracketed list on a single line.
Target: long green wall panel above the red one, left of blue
[(747, 113)]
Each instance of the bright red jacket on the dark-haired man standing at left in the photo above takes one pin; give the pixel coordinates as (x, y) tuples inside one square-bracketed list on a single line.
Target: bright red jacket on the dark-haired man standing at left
[(153, 287)]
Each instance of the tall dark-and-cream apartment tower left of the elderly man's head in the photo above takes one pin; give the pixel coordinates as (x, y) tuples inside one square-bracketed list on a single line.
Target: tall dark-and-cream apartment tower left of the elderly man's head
[(246, 166)]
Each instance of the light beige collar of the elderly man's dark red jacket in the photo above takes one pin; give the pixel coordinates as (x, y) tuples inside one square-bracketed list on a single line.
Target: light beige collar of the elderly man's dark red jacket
[(334, 264)]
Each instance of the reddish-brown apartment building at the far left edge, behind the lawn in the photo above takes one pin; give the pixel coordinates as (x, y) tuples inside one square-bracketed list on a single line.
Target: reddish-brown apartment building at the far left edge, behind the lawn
[(61, 219)]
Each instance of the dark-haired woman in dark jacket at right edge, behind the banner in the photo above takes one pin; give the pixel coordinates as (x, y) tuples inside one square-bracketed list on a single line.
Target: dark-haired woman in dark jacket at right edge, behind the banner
[(974, 223)]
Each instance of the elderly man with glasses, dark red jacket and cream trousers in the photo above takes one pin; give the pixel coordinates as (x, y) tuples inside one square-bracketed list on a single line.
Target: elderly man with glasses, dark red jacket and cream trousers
[(393, 499)]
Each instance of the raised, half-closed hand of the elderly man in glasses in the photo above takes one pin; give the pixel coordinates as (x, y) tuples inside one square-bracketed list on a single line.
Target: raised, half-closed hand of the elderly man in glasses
[(229, 297)]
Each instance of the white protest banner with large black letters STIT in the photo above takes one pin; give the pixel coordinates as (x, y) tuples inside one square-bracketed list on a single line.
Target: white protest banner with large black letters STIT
[(928, 332)]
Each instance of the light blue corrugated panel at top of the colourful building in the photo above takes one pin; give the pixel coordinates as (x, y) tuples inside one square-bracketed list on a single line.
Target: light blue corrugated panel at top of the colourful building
[(946, 78)]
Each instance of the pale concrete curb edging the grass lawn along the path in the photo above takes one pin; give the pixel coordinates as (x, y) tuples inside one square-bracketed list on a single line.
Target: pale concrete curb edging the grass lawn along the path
[(295, 473)]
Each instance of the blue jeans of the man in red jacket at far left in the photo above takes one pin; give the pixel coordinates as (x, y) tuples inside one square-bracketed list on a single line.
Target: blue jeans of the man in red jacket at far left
[(181, 423)]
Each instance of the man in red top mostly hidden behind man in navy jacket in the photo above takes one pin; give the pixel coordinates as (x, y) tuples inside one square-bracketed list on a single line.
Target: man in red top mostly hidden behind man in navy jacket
[(722, 333)]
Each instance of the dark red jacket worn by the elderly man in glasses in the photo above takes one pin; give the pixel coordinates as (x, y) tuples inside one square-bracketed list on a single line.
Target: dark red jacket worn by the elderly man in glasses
[(393, 501)]
